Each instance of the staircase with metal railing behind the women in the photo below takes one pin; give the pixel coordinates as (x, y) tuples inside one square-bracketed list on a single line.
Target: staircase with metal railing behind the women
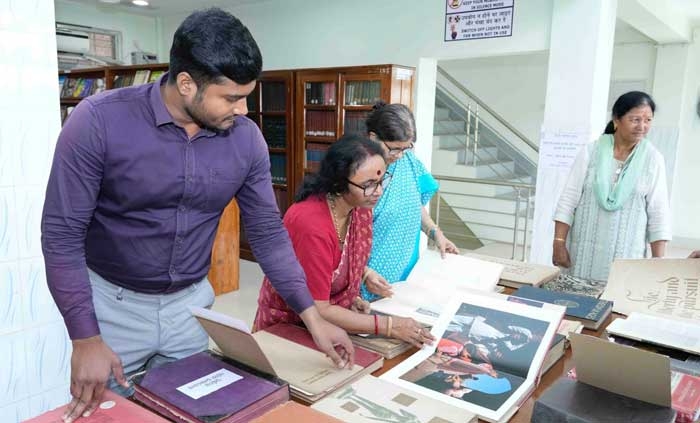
[(486, 171)]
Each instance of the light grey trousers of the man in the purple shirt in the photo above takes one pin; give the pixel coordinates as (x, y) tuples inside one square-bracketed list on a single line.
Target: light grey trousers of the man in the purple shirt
[(148, 330)]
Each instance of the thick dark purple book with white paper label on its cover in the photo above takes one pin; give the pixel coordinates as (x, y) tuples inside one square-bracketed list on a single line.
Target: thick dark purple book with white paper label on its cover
[(206, 388)]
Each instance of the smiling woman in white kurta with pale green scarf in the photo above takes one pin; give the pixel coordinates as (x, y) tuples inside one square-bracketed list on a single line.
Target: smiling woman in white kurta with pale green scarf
[(615, 200)]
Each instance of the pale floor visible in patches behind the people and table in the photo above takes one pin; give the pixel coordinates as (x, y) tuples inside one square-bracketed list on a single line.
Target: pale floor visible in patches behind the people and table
[(242, 304)]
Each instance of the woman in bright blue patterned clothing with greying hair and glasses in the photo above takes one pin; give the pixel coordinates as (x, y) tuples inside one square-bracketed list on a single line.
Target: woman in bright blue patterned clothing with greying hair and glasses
[(400, 215)]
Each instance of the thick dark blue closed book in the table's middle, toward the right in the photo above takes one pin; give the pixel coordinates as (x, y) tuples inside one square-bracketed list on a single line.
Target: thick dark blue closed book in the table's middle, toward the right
[(591, 312)]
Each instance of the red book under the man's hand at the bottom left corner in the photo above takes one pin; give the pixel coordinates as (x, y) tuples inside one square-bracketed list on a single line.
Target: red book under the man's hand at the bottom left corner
[(112, 409)]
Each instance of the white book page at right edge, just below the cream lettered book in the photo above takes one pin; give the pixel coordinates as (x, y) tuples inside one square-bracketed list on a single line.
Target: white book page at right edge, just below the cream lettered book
[(666, 331)]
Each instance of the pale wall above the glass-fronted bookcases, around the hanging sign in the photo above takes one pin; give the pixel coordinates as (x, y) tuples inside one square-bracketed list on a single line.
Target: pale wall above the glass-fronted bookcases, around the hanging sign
[(318, 33)]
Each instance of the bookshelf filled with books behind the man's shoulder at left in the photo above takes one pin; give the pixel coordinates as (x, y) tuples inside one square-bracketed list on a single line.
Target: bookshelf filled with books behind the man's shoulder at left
[(77, 84)]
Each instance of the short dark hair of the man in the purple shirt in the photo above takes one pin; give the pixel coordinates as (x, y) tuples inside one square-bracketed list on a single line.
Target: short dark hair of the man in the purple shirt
[(211, 44)]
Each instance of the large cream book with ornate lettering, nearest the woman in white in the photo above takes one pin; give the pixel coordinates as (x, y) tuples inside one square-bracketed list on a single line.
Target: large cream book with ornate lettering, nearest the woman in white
[(667, 287)]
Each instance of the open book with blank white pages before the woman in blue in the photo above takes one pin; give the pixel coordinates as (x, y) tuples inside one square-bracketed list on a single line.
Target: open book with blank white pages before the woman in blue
[(433, 281)]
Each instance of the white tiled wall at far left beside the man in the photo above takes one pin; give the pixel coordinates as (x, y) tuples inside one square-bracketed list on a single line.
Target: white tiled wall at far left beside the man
[(34, 345)]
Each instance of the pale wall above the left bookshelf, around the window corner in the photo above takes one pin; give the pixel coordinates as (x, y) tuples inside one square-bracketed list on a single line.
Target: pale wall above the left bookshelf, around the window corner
[(143, 30)]
